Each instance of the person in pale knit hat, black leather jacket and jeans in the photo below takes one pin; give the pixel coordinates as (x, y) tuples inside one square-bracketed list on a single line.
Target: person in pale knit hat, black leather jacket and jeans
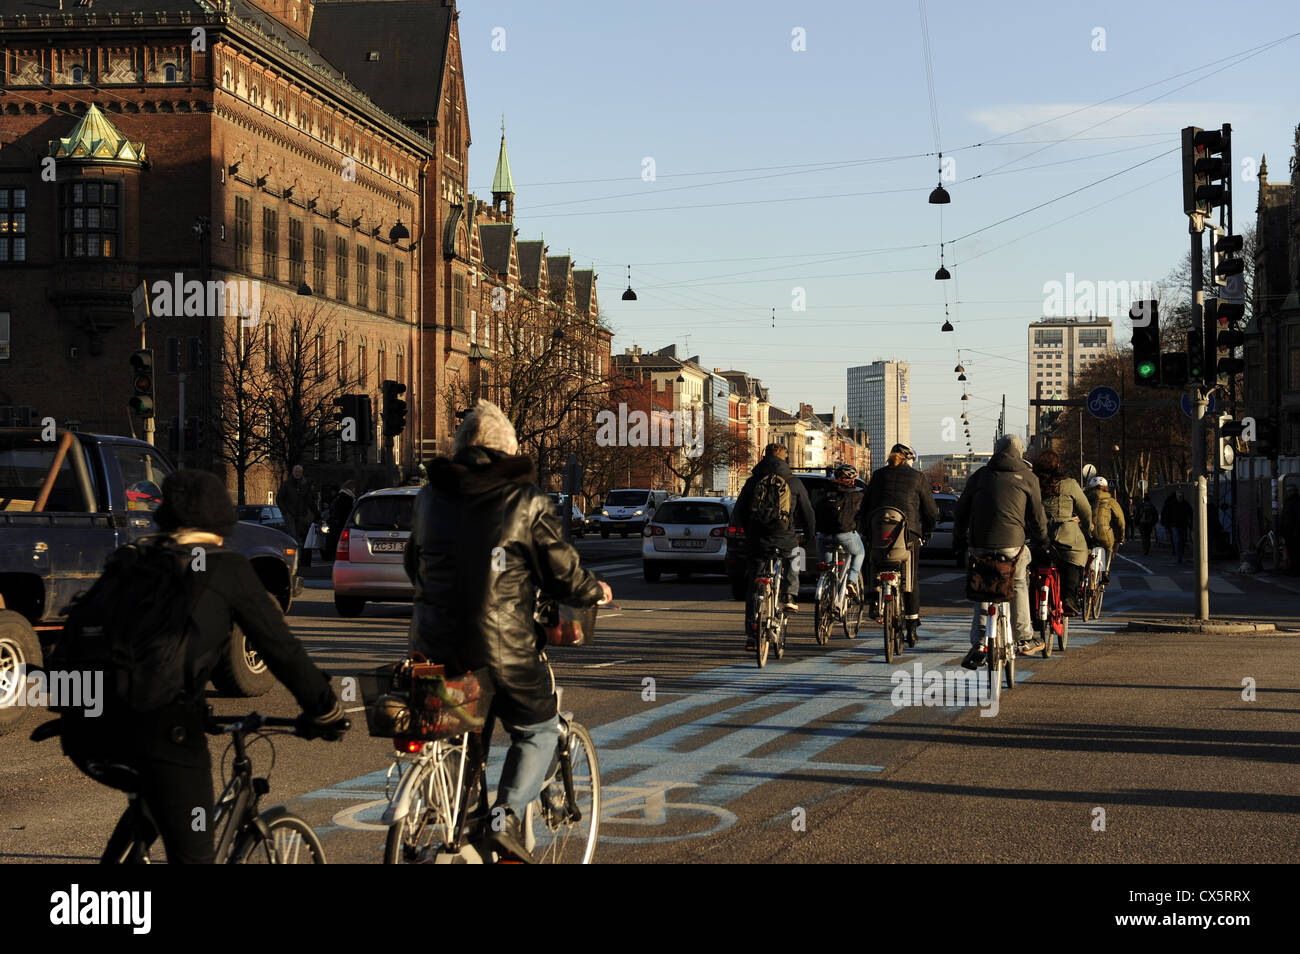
[(484, 541)]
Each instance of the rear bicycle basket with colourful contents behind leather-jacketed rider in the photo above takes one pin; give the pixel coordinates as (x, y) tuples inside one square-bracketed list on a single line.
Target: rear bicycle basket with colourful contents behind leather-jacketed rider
[(419, 700)]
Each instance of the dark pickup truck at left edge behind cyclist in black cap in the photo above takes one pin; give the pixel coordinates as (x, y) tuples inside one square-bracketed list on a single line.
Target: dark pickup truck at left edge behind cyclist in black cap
[(66, 506)]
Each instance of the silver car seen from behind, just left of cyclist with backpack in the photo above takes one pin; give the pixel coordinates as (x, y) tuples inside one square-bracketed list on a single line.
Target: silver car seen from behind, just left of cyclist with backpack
[(686, 536)]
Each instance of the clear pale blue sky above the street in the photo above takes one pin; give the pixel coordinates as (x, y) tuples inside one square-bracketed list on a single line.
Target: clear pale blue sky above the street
[(753, 157)]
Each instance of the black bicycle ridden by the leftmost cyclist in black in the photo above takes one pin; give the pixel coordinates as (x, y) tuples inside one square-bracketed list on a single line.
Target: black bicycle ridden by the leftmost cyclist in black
[(248, 836)]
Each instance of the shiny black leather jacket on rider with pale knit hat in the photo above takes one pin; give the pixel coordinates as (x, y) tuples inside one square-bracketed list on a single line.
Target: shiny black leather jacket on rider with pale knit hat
[(484, 540)]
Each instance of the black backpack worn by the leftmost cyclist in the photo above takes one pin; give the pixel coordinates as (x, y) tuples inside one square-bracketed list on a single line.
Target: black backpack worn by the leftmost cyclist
[(133, 626)]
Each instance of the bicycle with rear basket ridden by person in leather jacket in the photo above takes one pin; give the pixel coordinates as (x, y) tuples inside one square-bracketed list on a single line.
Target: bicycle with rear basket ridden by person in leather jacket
[(439, 803)]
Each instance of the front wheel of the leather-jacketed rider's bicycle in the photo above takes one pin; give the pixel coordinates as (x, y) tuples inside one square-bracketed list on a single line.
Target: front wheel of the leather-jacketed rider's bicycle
[(562, 836)]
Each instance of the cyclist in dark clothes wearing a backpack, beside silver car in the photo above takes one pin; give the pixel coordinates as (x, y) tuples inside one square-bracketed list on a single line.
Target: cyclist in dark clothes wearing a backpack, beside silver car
[(770, 508)]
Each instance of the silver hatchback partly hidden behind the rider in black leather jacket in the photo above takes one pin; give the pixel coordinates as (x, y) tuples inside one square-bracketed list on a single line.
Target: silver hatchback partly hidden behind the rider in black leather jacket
[(369, 565)]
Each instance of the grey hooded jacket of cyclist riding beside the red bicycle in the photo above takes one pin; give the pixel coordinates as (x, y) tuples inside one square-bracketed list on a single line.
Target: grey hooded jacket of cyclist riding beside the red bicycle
[(1000, 508)]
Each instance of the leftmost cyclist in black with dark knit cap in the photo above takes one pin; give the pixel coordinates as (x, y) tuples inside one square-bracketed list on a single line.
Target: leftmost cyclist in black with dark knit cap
[(166, 751)]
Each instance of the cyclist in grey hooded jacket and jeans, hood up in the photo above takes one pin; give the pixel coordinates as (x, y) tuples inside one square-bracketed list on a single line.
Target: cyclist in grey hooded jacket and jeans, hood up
[(999, 509)]
